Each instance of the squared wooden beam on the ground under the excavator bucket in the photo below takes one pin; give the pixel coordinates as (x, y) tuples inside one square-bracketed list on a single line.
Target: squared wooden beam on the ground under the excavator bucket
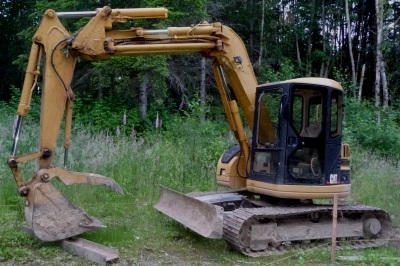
[(90, 250)]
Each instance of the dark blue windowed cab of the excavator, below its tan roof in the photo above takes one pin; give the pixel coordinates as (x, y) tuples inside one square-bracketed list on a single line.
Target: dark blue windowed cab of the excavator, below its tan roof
[(306, 145)]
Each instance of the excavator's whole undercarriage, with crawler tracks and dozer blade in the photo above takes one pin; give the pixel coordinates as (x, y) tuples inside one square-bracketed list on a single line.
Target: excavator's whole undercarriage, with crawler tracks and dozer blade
[(261, 226)]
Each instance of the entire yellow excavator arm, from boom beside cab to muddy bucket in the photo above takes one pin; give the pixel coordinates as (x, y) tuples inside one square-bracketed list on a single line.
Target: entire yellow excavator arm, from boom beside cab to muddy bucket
[(50, 215)]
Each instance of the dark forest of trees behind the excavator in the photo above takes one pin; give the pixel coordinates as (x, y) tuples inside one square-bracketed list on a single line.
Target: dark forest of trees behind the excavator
[(355, 42)]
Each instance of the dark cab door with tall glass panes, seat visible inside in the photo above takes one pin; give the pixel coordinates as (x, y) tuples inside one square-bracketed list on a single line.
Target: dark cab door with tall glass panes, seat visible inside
[(305, 150)]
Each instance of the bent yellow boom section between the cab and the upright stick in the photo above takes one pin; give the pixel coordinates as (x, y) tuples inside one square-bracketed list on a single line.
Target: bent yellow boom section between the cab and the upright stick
[(231, 63)]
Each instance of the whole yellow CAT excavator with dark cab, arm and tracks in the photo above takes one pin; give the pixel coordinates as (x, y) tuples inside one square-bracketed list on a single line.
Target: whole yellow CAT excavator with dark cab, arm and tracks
[(294, 155)]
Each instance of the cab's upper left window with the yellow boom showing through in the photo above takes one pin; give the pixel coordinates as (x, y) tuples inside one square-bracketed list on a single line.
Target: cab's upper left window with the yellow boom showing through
[(269, 113)]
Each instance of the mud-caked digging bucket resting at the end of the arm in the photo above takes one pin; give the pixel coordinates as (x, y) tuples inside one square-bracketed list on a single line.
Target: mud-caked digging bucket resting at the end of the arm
[(52, 217)]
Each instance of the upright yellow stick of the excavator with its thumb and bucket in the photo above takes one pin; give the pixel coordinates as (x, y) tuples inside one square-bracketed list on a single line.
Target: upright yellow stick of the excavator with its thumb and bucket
[(50, 215)]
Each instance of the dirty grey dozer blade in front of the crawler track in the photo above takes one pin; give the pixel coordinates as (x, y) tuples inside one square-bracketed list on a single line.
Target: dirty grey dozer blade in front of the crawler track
[(203, 218)]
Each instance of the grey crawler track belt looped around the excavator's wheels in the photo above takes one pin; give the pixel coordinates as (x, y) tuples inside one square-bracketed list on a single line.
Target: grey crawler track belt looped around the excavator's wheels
[(233, 222)]
